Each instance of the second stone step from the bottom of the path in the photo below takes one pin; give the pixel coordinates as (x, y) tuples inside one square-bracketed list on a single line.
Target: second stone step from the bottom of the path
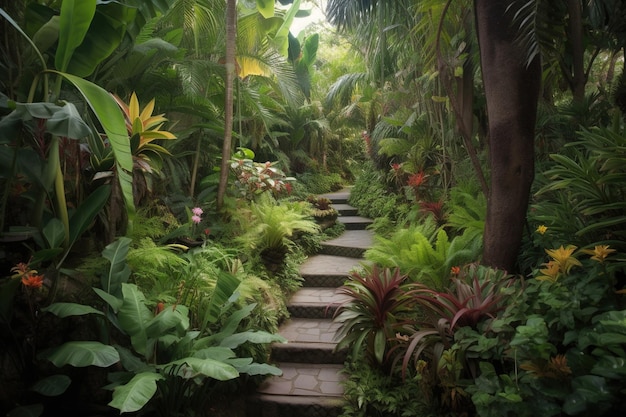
[(308, 341)]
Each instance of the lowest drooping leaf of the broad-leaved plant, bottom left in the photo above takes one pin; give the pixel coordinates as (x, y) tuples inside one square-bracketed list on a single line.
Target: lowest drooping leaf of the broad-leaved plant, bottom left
[(136, 393)]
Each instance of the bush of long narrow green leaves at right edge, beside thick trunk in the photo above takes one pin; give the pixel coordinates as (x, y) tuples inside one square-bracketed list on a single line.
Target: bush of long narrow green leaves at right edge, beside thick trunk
[(582, 195)]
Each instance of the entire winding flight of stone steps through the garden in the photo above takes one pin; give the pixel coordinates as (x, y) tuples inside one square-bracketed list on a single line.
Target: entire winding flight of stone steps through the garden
[(310, 385)]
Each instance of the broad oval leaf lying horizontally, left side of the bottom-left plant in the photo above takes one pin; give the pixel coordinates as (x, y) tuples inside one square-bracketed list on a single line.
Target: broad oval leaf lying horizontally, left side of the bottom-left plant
[(83, 353)]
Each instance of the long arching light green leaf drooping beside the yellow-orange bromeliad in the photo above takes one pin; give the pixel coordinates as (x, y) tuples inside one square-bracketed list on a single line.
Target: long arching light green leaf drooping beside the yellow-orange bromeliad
[(110, 116)]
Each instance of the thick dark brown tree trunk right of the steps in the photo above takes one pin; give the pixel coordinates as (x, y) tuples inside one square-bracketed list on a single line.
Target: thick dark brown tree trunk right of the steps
[(512, 90)]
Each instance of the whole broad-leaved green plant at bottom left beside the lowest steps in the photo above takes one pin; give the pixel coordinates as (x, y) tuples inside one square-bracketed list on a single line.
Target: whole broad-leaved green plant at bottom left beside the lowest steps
[(162, 344)]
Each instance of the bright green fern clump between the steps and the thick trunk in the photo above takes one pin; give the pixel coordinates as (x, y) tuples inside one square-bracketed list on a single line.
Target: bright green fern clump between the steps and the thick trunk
[(424, 252)]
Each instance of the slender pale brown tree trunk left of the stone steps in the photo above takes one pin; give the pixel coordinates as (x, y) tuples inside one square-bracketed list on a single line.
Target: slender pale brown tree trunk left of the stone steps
[(231, 33)]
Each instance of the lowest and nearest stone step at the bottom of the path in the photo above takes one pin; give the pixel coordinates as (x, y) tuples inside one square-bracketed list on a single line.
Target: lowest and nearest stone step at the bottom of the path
[(313, 390)]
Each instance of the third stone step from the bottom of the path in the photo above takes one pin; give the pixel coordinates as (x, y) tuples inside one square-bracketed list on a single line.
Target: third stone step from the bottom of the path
[(315, 302)]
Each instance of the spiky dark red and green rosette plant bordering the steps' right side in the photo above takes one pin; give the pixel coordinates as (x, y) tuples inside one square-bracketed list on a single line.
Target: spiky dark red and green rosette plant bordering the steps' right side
[(377, 308)]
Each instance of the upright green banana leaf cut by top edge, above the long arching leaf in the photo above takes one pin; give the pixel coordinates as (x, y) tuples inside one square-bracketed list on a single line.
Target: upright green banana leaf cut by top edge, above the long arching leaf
[(76, 16)]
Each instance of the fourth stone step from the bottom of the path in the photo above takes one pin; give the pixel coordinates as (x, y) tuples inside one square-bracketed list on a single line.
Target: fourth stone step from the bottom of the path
[(327, 270)]
